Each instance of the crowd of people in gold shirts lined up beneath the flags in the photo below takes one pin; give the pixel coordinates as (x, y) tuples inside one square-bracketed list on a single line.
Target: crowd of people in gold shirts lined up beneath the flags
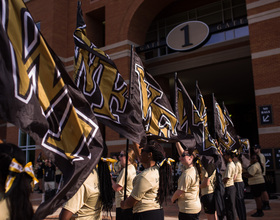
[(139, 193)]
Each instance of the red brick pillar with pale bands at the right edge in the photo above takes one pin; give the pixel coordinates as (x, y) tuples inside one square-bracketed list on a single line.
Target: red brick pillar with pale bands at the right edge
[(263, 19)]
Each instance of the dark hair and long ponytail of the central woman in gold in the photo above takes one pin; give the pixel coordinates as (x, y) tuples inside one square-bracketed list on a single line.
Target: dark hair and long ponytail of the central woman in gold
[(165, 177)]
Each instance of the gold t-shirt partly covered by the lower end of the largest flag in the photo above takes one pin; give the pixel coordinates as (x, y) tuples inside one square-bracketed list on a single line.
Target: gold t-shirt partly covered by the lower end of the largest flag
[(86, 204)]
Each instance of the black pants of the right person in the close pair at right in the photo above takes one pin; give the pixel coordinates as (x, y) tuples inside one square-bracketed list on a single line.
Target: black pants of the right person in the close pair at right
[(239, 201)]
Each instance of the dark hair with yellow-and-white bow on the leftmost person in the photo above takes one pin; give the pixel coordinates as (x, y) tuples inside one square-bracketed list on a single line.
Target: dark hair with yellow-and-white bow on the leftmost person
[(18, 199)]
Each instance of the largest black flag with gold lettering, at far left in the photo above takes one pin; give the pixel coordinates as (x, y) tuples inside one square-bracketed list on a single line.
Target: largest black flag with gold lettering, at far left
[(38, 96)]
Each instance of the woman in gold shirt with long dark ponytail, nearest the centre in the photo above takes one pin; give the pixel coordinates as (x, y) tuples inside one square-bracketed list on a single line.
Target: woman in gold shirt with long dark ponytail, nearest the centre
[(151, 186)]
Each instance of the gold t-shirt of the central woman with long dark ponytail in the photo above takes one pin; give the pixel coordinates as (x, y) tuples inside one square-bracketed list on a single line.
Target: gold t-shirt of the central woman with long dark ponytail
[(145, 189)]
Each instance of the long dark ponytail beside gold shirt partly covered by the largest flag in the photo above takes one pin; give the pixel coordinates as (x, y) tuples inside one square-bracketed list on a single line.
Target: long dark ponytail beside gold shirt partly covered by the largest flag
[(105, 184)]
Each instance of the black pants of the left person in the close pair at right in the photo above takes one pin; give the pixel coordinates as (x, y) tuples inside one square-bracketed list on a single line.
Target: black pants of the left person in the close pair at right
[(230, 193)]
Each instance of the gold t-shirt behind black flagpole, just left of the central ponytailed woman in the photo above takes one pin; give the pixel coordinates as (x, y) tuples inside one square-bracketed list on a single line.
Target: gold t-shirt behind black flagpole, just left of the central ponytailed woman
[(131, 173)]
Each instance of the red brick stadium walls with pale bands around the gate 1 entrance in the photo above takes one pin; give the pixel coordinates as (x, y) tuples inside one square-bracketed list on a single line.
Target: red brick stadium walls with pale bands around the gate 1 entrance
[(115, 25)]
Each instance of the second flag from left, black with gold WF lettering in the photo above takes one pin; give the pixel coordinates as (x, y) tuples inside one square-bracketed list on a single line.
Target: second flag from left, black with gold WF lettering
[(103, 86)]
